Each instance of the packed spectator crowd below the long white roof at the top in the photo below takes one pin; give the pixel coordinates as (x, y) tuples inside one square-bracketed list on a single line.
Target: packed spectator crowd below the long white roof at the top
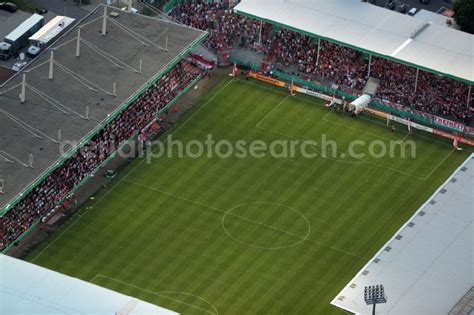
[(346, 67)]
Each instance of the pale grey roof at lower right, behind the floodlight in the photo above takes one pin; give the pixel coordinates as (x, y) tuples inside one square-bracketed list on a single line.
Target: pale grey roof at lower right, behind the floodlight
[(430, 268)]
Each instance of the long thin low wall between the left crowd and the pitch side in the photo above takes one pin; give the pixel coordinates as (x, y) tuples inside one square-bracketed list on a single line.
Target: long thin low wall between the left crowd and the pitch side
[(87, 178)]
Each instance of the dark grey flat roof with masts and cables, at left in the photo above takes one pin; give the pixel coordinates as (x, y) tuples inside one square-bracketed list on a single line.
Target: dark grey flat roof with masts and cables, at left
[(32, 128)]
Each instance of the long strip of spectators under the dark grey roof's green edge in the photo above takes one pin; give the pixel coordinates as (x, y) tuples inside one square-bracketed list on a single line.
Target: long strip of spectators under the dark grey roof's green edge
[(82, 163)]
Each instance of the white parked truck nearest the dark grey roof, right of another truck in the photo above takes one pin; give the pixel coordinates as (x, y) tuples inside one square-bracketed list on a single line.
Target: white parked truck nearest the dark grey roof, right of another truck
[(48, 34)]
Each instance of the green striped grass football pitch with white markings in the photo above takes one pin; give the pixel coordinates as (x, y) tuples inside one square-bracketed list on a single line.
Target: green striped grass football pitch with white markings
[(249, 236)]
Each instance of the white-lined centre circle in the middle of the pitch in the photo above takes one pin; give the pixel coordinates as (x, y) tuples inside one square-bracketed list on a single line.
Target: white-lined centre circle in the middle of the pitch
[(266, 225)]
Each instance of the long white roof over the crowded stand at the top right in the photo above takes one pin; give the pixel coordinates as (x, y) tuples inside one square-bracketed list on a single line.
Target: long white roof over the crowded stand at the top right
[(373, 29)]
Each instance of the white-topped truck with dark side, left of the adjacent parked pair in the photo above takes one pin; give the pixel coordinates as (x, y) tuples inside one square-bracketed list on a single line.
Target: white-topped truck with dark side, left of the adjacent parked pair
[(18, 38)]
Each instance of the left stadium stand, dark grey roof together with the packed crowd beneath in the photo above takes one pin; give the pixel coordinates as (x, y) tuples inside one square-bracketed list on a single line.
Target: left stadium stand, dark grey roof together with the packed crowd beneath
[(80, 105)]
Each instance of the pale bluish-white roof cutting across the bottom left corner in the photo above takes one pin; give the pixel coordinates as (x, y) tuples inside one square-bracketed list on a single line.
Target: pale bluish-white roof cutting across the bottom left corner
[(30, 289)]
